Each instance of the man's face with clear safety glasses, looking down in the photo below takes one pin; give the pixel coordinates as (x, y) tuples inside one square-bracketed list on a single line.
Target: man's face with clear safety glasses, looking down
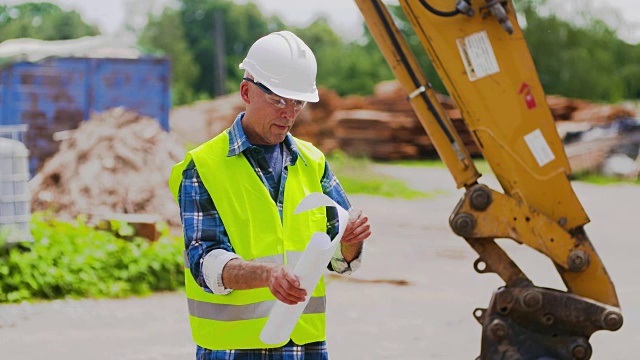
[(264, 122)]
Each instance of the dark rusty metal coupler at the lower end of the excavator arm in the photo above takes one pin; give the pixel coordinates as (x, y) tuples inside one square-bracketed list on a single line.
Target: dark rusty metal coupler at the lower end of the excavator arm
[(542, 323)]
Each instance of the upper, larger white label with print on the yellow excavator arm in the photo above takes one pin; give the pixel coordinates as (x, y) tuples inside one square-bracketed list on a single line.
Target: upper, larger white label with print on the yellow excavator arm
[(477, 55)]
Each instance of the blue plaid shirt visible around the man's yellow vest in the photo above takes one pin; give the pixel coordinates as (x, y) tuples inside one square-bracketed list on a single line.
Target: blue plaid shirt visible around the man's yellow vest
[(204, 230)]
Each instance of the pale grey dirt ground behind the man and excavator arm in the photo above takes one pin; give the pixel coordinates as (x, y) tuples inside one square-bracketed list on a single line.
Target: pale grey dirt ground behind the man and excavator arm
[(429, 318)]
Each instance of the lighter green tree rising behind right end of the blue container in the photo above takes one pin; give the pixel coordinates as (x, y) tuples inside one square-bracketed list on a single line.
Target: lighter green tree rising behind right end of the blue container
[(166, 33)]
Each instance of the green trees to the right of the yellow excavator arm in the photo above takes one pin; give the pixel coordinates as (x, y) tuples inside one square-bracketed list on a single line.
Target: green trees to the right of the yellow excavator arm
[(588, 62)]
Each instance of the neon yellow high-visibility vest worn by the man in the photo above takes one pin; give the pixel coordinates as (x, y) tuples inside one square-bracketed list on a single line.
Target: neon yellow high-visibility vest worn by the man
[(252, 221)]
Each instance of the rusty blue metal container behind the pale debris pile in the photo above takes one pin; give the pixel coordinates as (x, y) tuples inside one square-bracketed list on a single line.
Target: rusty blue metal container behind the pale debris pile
[(56, 94)]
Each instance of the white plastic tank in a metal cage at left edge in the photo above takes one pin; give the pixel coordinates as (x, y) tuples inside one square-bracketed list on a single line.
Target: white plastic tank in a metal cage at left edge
[(15, 209)]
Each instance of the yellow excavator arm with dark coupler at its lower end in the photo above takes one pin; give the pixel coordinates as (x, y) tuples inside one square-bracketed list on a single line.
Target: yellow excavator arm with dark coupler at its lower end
[(481, 56)]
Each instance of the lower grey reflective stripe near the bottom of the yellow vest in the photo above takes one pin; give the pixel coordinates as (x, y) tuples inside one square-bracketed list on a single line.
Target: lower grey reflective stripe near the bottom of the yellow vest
[(225, 312)]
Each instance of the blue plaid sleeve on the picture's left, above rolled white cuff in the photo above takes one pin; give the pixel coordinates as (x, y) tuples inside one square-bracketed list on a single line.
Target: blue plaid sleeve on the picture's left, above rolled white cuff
[(201, 222)]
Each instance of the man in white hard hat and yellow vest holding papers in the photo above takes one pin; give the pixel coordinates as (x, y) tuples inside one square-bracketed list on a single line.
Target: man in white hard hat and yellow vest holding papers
[(237, 196)]
